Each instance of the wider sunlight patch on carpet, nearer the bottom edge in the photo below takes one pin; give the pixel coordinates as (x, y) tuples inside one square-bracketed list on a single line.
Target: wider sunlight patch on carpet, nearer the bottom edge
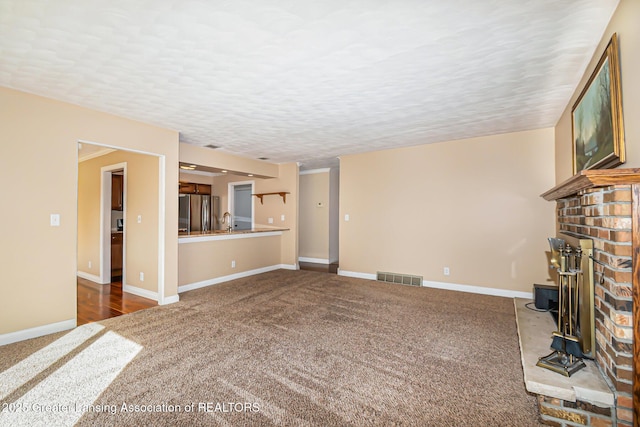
[(65, 395)]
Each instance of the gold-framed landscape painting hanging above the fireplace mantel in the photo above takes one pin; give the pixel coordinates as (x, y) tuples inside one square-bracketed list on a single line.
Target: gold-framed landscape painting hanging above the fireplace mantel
[(596, 116)]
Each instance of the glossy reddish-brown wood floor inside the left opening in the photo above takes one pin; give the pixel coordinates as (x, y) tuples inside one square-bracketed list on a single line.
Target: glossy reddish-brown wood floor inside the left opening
[(98, 302)]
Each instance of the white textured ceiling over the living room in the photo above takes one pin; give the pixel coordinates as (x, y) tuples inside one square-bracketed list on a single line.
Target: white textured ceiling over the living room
[(300, 80)]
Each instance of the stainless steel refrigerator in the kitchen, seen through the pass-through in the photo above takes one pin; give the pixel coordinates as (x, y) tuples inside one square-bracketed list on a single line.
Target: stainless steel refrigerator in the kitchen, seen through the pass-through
[(198, 213)]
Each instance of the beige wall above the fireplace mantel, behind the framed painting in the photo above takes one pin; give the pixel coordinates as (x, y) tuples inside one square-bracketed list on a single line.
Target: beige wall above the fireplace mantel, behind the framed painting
[(625, 23)]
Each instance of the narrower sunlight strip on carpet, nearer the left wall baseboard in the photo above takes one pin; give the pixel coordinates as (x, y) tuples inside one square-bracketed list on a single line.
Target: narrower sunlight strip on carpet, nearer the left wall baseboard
[(24, 371)]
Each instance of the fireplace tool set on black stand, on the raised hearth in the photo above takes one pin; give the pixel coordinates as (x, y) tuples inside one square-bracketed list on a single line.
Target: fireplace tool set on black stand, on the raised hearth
[(566, 359)]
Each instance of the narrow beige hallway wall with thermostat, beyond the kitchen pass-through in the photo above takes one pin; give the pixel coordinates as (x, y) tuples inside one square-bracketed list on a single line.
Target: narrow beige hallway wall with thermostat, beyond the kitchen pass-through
[(314, 215)]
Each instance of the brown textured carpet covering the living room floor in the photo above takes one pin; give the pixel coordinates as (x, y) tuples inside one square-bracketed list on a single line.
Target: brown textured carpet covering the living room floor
[(304, 348)]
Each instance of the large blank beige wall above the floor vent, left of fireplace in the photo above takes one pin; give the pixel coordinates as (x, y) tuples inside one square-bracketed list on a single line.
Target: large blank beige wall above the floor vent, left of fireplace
[(472, 205)]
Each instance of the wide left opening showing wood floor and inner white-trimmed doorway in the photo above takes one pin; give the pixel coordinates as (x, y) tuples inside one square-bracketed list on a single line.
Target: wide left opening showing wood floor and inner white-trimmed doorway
[(120, 258)]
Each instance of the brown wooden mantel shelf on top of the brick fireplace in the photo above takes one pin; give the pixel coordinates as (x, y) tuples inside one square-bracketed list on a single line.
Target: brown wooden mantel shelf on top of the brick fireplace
[(587, 179)]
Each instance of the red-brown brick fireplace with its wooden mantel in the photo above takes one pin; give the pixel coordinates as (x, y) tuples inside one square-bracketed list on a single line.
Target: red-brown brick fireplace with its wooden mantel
[(603, 205)]
